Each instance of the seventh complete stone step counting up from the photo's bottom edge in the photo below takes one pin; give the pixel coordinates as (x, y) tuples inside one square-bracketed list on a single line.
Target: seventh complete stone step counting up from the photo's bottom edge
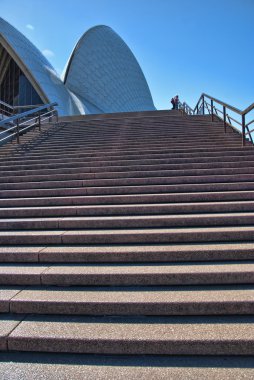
[(128, 209)]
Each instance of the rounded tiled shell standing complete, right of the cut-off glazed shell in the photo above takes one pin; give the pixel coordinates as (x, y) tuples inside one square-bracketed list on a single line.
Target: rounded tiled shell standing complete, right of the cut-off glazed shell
[(105, 75)]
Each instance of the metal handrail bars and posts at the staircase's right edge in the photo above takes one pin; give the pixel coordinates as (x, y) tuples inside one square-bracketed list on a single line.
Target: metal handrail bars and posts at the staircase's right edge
[(202, 105)]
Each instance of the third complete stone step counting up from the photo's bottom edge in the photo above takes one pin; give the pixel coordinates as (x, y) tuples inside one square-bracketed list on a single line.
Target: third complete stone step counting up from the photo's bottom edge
[(152, 274)]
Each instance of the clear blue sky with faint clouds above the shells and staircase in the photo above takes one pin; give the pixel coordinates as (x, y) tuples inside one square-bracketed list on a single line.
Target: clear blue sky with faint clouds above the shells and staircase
[(184, 47)]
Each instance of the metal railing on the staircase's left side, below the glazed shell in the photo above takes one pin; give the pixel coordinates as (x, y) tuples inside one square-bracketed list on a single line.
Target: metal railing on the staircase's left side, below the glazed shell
[(23, 122)]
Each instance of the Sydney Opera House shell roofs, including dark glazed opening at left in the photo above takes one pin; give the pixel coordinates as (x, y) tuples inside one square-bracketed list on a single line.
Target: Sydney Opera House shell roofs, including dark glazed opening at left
[(101, 76)]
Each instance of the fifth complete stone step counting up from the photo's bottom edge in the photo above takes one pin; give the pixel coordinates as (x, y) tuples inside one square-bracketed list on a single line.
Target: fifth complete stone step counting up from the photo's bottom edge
[(165, 235)]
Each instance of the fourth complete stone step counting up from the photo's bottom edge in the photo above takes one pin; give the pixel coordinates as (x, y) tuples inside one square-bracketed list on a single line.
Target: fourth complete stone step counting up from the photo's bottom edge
[(128, 253)]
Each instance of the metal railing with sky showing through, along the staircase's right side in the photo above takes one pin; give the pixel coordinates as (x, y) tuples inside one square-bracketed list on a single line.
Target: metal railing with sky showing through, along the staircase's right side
[(220, 110)]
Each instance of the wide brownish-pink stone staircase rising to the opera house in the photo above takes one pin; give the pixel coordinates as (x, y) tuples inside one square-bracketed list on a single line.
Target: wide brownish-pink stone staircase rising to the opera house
[(127, 250)]
